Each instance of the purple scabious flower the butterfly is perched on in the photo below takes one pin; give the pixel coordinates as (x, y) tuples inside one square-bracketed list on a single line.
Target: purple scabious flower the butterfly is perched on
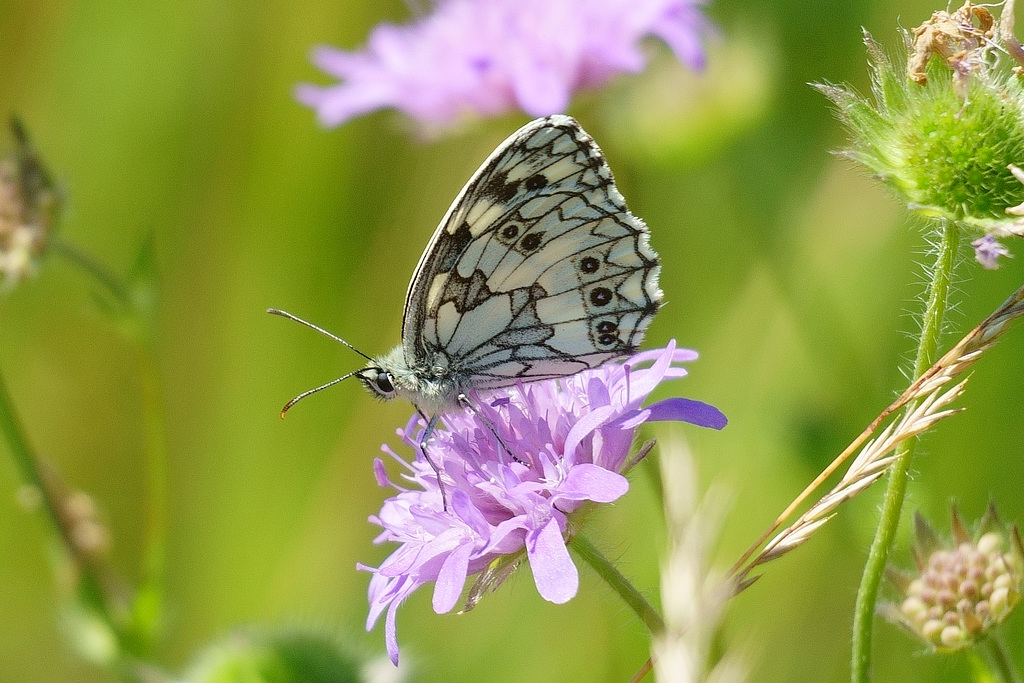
[(572, 439)]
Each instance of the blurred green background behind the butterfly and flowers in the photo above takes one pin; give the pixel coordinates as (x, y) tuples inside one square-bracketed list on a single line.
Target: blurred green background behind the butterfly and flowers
[(794, 275)]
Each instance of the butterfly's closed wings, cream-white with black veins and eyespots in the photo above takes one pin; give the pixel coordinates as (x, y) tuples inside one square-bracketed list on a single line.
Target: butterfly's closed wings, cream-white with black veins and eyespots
[(537, 271)]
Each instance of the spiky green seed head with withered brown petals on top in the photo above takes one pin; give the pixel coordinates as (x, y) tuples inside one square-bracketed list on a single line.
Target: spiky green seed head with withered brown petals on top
[(946, 123)]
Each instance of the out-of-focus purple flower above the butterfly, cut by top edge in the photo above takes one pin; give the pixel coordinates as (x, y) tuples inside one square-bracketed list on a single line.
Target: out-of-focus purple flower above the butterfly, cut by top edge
[(490, 57)]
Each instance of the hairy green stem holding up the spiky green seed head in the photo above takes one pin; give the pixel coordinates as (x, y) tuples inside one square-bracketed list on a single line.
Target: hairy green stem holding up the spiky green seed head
[(864, 620)]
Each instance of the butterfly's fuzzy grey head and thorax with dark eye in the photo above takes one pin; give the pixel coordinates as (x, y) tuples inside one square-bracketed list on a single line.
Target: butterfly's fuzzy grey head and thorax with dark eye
[(433, 386)]
